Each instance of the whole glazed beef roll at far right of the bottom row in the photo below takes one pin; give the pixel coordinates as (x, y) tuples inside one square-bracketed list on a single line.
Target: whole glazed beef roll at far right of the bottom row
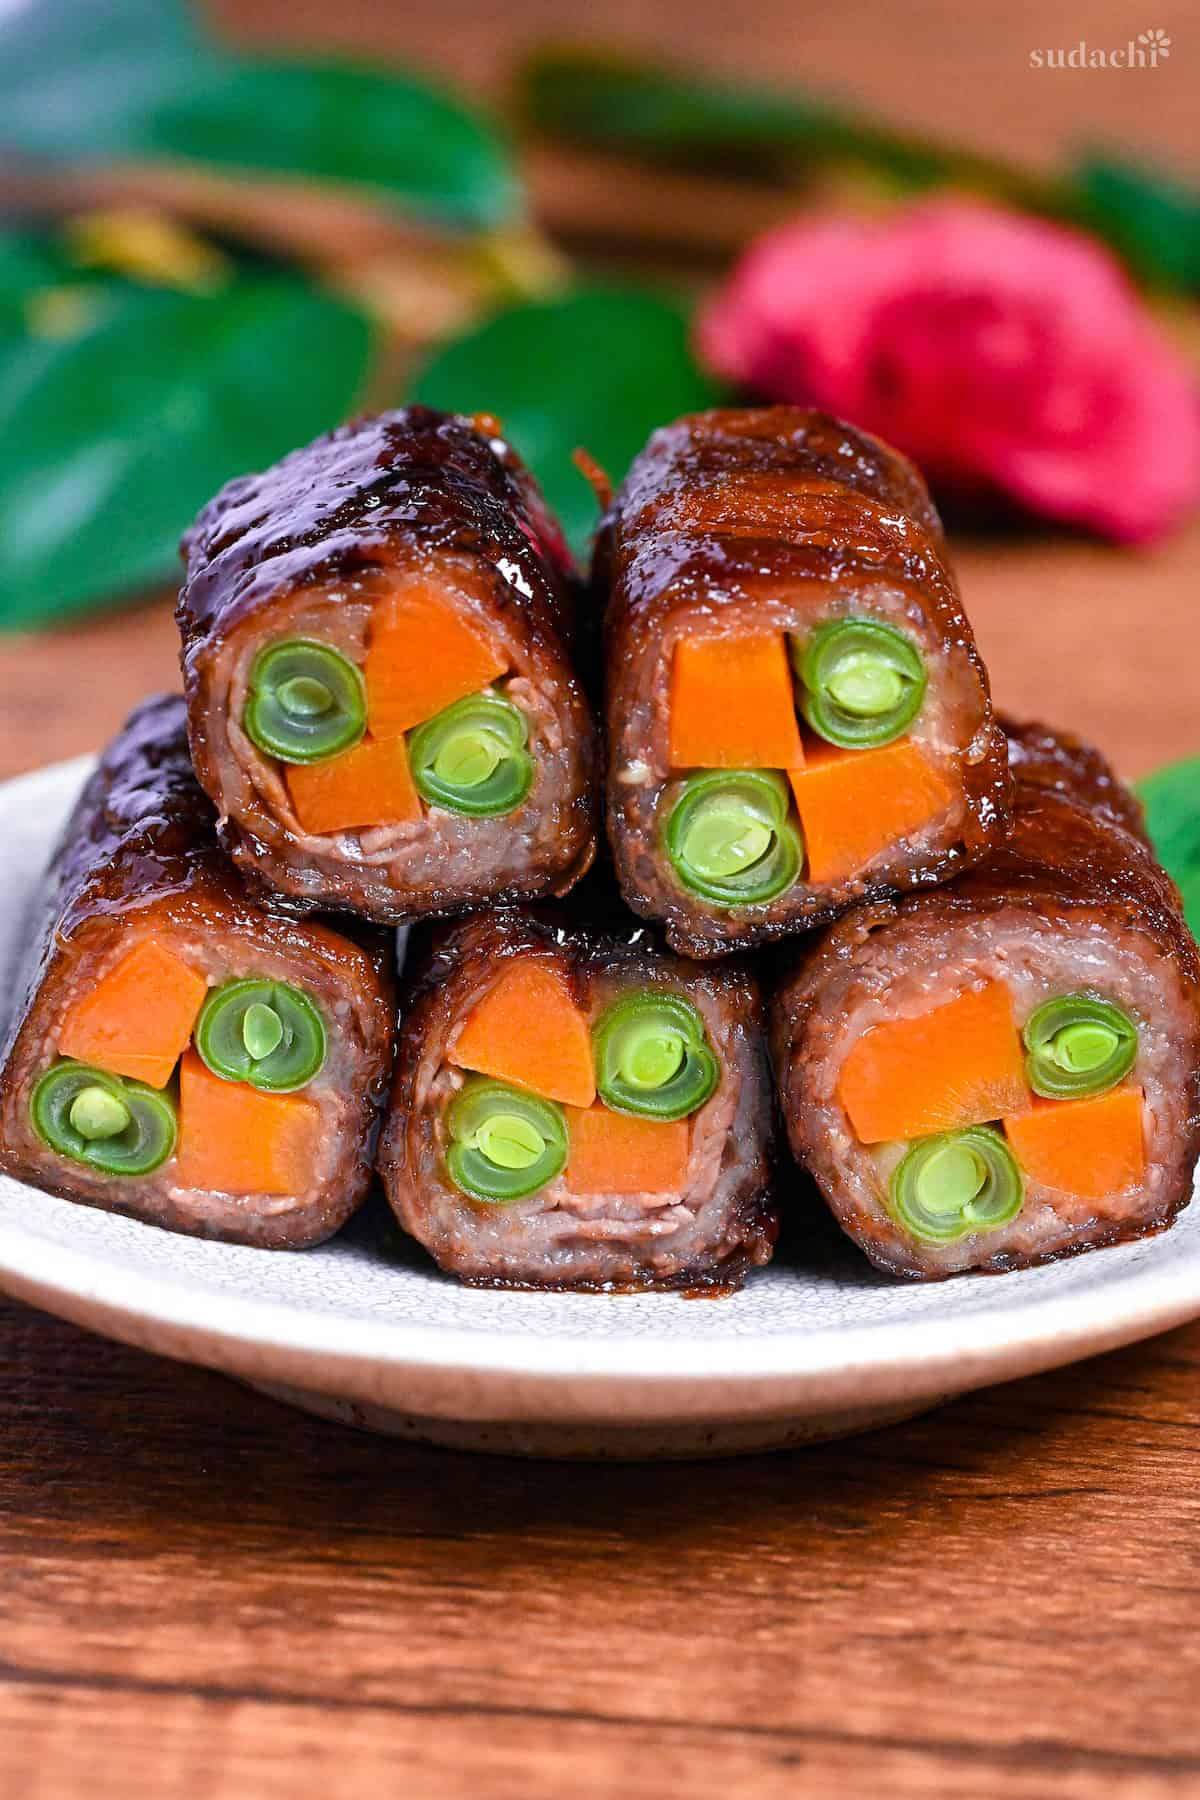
[(1008, 1068)]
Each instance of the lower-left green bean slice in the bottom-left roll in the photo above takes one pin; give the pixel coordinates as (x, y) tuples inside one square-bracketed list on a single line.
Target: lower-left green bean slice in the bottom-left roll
[(103, 1120)]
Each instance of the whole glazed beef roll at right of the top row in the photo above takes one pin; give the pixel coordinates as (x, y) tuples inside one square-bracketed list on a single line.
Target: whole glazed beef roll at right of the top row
[(798, 715)]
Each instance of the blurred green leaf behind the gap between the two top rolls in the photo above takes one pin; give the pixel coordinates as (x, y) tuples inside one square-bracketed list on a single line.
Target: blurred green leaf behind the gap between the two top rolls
[(598, 370)]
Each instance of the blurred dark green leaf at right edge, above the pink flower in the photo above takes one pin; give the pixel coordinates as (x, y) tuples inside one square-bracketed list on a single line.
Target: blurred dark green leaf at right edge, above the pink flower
[(1147, 215)]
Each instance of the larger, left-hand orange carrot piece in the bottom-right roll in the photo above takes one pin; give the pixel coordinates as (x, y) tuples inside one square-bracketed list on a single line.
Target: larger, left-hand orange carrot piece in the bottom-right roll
[(958, 1065)]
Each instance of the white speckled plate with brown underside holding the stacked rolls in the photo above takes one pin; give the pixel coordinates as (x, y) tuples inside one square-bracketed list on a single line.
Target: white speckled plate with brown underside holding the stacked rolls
[(368, 1331)]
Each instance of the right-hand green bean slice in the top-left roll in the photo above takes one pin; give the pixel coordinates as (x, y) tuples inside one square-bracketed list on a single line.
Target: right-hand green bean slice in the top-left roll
[(472, 757)]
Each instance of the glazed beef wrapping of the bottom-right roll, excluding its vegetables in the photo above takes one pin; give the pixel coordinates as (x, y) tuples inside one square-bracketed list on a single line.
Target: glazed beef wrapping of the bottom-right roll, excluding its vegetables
[(1073, 899)]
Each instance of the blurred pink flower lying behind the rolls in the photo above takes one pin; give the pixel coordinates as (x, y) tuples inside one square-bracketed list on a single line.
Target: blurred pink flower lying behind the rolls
[(996, 350)]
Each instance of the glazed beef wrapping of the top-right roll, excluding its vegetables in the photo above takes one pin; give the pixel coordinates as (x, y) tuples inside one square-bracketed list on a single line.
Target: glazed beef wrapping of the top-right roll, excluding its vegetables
[(775, 519)]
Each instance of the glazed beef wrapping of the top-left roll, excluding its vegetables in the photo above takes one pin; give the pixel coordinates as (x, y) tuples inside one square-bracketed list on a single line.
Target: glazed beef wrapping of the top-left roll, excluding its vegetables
[(307, 548)]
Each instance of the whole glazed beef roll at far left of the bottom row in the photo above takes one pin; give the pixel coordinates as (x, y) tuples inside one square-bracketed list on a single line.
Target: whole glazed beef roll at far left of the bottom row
[(184, 1056)]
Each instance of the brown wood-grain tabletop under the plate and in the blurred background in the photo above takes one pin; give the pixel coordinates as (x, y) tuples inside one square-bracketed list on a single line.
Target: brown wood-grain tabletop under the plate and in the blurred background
[(206, 1596)]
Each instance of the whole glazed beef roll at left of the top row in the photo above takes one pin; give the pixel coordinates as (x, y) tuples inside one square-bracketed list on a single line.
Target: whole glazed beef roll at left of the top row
[(379, 672)]
